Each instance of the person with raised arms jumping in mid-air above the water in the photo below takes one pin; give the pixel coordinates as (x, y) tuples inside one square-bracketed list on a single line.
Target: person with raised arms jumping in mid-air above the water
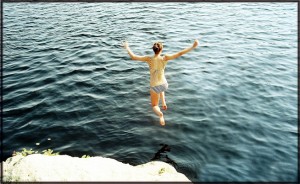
[(158, 82)]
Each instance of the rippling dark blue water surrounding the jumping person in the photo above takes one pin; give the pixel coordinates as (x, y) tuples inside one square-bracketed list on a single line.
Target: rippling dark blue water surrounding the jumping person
[(232, 102)]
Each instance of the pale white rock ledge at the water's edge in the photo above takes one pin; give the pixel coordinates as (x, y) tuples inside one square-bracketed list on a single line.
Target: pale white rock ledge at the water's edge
[(39, 167)]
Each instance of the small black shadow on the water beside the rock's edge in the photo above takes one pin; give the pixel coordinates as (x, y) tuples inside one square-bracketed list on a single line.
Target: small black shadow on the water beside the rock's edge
[(161, 155)]
